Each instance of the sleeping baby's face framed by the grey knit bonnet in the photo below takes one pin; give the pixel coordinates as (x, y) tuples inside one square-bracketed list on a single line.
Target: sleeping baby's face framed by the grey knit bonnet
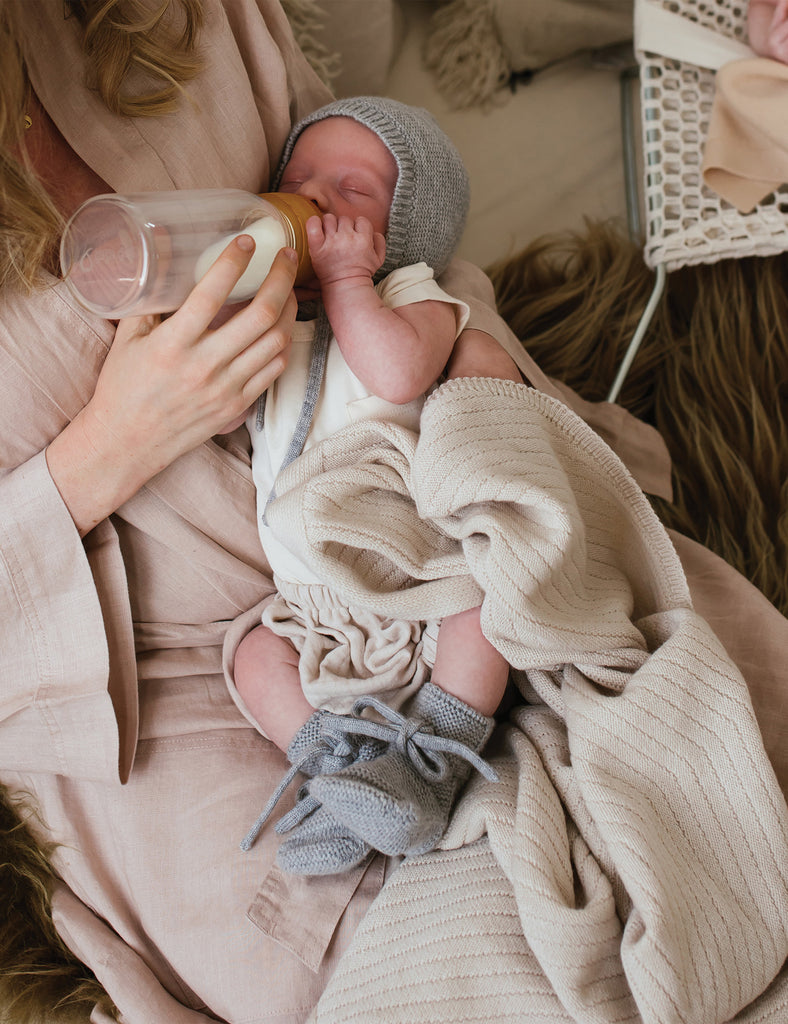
[(345, 168)]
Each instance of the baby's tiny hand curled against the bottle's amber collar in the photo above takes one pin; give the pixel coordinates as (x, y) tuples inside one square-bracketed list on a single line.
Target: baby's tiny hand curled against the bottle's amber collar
[(344, 248)]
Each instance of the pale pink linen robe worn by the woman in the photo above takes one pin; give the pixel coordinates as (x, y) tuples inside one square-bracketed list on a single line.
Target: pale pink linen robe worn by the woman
[(114, 711)]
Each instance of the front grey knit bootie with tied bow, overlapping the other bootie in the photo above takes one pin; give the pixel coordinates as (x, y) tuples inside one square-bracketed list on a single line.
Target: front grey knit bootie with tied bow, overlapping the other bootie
[(401, 802)]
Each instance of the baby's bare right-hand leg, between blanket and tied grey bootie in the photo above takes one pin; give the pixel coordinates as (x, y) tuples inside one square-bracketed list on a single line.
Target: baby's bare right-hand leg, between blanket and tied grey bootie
[(467, 666)]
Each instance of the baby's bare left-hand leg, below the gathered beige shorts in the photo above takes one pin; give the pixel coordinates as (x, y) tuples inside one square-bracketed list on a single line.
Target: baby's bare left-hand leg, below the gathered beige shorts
[(268, 678)]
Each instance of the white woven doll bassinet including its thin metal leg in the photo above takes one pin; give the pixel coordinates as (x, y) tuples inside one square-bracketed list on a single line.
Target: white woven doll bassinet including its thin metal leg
[(680, 45)]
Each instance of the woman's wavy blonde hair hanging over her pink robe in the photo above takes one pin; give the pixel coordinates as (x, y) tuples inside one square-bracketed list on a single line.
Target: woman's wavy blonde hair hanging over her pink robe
[(150, 44)]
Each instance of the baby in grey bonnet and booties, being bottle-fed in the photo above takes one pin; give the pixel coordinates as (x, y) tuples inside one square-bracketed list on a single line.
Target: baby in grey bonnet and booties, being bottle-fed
[(393, 194)]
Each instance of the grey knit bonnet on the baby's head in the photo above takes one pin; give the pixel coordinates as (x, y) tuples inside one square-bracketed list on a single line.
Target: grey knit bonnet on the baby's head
[(431, 197)]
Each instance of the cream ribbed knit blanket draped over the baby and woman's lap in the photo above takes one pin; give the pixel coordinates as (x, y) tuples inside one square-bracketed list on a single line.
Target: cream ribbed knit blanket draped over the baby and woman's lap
[(632, 865)]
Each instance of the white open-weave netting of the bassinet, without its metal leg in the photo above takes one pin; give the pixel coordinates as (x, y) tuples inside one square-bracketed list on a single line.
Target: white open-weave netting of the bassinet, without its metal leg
[(686, 222)]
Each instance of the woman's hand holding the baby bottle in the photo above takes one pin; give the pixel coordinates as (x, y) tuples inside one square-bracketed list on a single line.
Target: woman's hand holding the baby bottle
[(166, 388)]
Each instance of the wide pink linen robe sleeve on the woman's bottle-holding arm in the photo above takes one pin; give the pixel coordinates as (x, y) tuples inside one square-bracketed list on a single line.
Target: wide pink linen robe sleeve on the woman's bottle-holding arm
[(68, 678)]
